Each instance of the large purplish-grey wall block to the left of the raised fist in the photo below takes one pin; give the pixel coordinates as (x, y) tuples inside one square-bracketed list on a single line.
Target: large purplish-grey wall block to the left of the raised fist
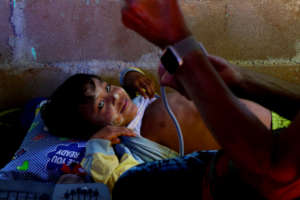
[(80, 30)]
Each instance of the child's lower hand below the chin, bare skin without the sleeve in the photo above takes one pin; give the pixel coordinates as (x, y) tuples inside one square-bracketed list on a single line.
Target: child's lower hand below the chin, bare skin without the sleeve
[(112, 133)]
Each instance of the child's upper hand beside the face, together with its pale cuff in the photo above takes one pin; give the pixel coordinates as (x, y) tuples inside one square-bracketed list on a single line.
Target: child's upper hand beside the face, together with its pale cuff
[(135, 81)]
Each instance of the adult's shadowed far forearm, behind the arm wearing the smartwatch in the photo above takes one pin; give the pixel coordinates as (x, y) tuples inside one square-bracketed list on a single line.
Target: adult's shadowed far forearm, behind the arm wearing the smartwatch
[(277, 95)]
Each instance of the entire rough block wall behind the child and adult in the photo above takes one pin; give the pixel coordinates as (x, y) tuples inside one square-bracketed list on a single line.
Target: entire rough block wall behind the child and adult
[(43, 42)]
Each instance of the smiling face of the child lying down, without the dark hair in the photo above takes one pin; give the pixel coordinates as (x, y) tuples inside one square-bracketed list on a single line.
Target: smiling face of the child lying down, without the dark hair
[(111, 105)]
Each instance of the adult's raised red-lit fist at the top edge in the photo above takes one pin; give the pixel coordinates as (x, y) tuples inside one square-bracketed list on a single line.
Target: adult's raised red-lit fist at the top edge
[(159, 21)]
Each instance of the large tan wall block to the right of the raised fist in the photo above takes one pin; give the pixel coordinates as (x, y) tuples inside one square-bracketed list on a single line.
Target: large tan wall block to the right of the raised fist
[(247, 30)]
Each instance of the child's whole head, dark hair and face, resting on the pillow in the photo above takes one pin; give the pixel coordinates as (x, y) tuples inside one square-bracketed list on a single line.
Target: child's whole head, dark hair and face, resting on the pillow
[(83, 104)]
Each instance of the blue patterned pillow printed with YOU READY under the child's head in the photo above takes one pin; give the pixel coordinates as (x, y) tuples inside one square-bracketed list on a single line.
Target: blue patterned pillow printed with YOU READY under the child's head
[(42, 156)]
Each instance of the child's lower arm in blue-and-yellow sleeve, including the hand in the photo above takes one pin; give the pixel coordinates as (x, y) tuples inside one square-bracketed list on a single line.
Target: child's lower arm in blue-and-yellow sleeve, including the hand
[(100, 160)]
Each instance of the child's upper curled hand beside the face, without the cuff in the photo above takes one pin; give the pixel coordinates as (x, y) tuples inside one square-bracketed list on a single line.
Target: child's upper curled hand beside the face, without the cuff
[(136, 82)]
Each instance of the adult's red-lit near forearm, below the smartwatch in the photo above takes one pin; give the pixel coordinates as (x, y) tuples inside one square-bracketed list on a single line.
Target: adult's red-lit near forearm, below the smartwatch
[(240, 133)]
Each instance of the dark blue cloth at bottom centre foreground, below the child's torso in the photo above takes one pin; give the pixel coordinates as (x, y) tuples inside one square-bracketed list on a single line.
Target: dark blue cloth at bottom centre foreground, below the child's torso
[(177, 178)]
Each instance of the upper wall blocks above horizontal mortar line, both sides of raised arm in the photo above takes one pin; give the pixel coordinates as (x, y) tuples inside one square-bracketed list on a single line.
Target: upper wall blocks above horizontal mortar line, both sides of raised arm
[(76, 30)]
